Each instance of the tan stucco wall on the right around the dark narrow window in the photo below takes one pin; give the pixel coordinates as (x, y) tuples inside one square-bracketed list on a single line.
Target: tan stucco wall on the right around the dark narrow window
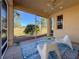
[(70, 23)]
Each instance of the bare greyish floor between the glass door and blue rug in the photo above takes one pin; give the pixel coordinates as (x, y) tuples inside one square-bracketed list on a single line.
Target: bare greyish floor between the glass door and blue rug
[(13, 53)]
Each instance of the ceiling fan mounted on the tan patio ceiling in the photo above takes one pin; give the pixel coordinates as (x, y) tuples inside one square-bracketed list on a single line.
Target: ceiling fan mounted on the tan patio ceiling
[(53, 5)]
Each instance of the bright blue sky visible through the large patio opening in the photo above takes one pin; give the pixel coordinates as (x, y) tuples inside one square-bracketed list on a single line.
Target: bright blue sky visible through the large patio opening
[(26, 18)]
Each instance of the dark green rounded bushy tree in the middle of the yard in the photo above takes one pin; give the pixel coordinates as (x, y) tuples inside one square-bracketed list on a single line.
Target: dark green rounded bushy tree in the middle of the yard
[(30, 29)]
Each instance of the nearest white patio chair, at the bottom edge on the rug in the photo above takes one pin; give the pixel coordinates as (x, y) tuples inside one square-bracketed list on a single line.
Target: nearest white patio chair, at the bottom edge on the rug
[(46, 48)]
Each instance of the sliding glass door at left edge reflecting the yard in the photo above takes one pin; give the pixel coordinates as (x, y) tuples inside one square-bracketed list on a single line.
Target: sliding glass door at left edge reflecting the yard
[(4, 26)]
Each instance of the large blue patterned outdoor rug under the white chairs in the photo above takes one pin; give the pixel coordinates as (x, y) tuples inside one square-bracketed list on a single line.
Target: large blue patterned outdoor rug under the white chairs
[(29, 51)]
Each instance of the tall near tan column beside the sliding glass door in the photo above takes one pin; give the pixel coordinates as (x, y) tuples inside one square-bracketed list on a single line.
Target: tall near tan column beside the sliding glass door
[(10, 22)]
